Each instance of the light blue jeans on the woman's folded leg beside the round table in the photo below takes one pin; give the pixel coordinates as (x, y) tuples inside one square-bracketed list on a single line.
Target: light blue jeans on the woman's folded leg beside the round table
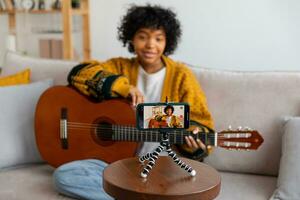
[(81, 179)]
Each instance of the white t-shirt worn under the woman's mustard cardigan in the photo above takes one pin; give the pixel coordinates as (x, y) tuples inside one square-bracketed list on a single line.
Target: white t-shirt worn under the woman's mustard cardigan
[(151, 86)]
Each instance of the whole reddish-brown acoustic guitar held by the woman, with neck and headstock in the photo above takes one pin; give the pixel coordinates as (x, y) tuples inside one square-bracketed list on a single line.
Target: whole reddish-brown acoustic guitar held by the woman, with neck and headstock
[(70, 126)]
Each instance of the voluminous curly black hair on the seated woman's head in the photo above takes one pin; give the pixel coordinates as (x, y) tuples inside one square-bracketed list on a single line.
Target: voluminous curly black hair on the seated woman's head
[(148, 16)]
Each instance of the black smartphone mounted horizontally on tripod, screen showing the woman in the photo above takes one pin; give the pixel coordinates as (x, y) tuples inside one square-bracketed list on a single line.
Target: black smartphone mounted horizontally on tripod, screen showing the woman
[(167, 116)]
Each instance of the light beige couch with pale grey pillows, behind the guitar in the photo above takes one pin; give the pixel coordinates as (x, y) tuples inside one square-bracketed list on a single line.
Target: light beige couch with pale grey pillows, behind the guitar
[(265, 101)]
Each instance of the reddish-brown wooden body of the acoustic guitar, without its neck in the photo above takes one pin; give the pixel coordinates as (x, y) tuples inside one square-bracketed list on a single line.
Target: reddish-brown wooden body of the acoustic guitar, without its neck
[(84, 141)]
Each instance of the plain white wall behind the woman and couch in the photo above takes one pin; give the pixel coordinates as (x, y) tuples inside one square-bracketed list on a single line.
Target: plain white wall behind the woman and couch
[(231, 34)]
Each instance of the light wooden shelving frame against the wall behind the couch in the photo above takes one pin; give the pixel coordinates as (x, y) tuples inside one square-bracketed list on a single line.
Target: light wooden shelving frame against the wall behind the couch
[(66, 15)]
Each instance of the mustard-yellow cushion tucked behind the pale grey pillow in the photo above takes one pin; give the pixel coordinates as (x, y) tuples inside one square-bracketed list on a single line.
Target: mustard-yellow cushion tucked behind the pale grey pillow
[(22, 77)]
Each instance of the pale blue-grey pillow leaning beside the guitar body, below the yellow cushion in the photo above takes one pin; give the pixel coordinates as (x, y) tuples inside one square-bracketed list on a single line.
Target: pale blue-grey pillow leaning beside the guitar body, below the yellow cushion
[(17, 108)]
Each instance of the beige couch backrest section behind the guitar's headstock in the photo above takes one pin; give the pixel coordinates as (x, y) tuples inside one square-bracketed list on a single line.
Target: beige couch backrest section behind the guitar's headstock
[(258, 100)]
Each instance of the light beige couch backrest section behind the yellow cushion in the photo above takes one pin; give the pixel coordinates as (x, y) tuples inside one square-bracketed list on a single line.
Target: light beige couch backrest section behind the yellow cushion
[(40, 68)]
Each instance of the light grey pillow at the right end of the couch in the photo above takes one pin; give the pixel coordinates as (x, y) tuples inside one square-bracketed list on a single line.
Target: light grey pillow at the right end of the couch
[(289, 171)]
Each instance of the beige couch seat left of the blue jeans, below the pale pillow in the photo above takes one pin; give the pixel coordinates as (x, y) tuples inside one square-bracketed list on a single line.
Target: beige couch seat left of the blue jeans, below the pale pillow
[(28, 183)]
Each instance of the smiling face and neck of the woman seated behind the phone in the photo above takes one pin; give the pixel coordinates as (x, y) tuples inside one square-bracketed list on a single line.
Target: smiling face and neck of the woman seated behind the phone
[(149, 45)]
